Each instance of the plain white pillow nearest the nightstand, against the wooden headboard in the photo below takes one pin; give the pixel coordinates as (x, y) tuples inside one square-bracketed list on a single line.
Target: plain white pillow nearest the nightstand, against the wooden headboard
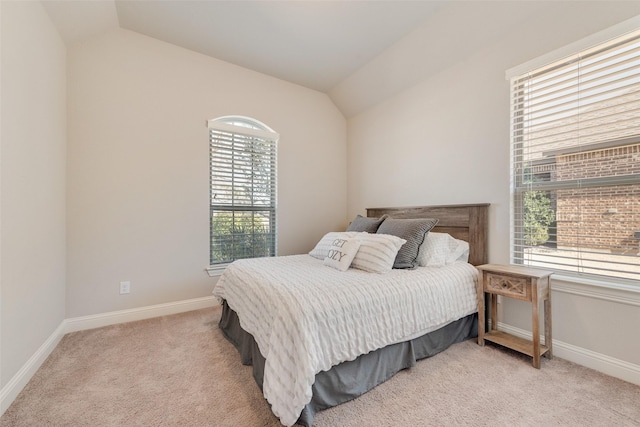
[(440, 249)]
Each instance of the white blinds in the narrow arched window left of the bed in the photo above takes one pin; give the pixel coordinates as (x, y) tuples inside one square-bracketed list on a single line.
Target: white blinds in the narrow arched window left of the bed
[(243, 159)]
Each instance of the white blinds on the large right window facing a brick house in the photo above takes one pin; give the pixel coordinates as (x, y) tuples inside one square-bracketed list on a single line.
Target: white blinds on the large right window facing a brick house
[(575, 145)]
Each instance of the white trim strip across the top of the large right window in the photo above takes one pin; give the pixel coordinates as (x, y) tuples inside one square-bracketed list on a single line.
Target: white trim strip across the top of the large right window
[(617, 30)]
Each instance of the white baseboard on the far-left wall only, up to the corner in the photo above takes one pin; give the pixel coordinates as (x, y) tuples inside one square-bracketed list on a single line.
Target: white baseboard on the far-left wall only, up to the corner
[(10, 391)]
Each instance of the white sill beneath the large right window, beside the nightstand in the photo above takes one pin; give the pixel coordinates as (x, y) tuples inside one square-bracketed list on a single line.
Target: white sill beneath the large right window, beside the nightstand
[(599, 289)]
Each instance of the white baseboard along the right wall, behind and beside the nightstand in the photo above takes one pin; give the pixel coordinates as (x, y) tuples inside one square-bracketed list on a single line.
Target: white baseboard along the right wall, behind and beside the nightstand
[(597, 361)]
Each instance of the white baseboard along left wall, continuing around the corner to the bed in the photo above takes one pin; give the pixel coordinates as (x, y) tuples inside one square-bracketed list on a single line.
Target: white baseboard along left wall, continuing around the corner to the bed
[(10, 391)]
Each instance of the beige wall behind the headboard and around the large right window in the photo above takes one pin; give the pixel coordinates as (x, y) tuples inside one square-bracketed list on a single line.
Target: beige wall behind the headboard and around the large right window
[(446, 140)]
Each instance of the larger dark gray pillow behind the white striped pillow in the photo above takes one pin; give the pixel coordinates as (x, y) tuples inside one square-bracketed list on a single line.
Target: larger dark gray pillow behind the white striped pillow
[(414, 232)]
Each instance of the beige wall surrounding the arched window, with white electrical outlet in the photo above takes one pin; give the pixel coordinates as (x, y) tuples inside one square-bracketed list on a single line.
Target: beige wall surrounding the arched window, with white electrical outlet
[(138, 167)]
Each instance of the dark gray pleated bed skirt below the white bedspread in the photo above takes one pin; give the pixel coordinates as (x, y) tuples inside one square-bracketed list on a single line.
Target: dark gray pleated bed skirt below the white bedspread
[(349, 380)]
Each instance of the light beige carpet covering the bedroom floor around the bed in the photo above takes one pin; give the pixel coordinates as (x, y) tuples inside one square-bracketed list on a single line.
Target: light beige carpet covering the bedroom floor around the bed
[(179, 370)]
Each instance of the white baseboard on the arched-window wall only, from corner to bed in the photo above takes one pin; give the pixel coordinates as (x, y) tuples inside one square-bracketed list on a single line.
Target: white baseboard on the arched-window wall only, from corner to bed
[(141, 313)]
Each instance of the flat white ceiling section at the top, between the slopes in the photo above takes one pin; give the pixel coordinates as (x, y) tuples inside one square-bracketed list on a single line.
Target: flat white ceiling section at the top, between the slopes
[(315, 44)]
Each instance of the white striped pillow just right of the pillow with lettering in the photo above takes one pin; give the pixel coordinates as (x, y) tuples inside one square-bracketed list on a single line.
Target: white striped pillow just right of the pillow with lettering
[(377, 252)]
